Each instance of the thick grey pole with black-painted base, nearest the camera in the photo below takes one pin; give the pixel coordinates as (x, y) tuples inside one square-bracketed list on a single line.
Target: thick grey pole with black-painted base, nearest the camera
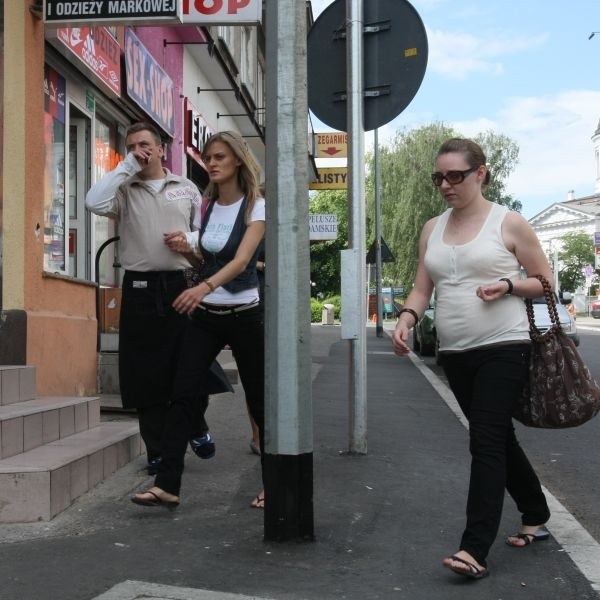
[(288, 457)]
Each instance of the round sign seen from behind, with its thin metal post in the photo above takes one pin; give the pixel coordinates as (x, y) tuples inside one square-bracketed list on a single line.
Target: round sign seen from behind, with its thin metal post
[(366, 61)]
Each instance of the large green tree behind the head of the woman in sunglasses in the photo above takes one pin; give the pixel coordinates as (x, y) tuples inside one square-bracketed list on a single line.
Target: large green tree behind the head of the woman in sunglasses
[(409, 199)]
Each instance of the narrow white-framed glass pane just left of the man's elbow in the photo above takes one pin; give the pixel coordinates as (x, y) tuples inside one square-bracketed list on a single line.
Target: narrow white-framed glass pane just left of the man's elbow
[(80, 259)]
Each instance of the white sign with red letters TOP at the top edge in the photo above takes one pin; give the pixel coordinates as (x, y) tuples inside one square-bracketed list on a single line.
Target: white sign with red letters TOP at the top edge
[(221, 12)]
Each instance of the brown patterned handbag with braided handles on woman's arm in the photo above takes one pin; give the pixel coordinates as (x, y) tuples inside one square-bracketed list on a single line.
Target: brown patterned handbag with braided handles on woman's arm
[(561, 391)]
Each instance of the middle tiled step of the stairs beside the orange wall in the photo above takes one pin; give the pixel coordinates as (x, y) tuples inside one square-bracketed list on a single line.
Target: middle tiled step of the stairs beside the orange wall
[(28, 424)]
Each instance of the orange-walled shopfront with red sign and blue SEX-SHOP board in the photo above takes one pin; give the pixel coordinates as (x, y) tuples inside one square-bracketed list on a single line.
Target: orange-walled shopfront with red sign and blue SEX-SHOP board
[(67, 117)]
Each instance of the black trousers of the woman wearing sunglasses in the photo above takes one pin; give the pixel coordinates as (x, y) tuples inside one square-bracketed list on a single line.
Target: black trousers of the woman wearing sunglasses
[(487, 383)]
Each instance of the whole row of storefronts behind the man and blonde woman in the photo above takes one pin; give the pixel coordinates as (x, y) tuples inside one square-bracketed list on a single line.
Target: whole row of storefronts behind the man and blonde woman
[(69, 95)]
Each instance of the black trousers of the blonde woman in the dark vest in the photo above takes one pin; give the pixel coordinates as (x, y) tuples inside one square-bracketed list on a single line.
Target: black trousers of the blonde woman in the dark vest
[(205, 336)]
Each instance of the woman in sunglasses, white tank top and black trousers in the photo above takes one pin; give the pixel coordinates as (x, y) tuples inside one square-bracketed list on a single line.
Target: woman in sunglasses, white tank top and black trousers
[(475, 254)]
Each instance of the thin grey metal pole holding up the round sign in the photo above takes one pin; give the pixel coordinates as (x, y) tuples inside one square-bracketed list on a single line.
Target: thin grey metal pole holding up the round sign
[(356, 228)]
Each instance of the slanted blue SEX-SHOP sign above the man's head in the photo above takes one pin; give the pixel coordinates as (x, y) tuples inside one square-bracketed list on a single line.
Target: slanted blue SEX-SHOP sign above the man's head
[(147, 84)]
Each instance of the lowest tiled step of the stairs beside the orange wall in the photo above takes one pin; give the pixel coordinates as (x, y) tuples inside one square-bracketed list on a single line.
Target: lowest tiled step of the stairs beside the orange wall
[(38, 484)]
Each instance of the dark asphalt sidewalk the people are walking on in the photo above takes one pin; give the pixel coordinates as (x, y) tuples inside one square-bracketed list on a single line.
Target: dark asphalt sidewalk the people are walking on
[(383, 521)]
